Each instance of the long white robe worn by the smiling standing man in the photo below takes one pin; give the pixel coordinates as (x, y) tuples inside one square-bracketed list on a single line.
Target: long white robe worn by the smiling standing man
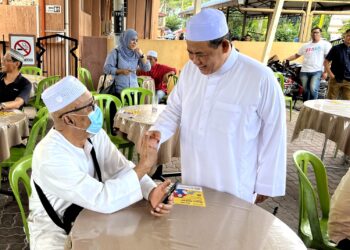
[(232, 128)]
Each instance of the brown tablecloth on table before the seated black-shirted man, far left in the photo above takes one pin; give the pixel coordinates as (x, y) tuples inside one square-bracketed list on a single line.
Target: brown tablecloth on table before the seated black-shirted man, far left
[(13, 127)]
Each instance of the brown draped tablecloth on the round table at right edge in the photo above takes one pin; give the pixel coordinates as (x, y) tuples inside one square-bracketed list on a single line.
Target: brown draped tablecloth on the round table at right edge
[(330, 117)]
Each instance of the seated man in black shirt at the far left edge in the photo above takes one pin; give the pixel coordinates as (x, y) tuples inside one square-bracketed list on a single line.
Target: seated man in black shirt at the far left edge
[(14, 88)]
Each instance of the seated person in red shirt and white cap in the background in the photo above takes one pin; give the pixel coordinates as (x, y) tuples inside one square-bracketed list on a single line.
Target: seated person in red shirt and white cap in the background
[(159, 72)]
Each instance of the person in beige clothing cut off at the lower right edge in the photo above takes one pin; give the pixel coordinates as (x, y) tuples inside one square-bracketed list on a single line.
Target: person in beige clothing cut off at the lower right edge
[(339, 214)]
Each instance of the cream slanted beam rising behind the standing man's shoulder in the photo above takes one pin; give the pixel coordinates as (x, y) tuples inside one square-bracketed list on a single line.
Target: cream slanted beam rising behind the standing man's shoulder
[(272, 30)]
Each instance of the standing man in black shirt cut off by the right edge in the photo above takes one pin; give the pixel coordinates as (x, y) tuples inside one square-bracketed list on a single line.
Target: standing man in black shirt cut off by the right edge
[(337, 65)]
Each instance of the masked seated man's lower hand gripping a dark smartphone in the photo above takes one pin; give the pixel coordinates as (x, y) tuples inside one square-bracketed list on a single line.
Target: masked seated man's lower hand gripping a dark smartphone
[(155, 198)]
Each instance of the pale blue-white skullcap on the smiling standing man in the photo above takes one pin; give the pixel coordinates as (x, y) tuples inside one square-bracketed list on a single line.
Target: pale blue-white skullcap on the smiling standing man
[(209, 24)]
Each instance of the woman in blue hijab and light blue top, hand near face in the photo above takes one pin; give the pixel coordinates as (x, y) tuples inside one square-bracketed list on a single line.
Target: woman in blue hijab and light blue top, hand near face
[(123, 61)]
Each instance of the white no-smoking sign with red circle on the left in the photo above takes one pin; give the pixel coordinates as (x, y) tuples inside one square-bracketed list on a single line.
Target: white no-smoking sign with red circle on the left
[(24, 44)]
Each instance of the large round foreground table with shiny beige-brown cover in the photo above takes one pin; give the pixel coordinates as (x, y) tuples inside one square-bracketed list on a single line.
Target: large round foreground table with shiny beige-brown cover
[(226, 222)]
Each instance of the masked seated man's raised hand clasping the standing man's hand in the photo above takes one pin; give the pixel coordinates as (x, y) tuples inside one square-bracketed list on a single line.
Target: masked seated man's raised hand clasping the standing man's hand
[(148, 156)]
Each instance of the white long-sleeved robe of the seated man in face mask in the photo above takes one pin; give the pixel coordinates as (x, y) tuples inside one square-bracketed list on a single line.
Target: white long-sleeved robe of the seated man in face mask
[(66, 175)]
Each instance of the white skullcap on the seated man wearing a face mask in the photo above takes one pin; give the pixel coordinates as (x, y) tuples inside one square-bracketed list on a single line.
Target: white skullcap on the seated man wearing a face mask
[(63, 93)]
